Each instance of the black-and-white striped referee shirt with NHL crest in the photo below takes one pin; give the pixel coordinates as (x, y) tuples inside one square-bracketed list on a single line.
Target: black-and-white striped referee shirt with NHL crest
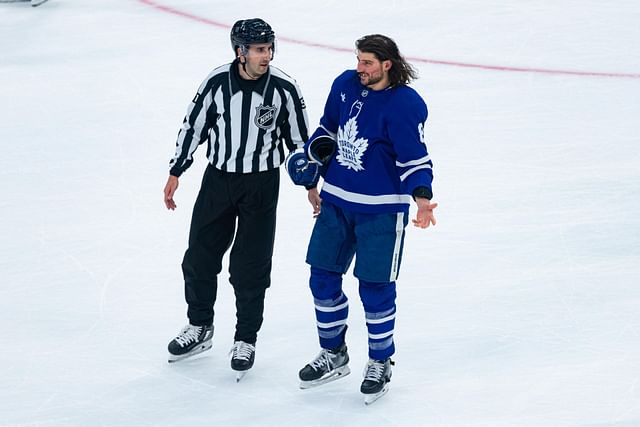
[(246, 123)]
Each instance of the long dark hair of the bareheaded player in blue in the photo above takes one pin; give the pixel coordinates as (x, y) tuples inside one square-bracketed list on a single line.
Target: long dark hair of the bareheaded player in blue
[(384, 48)]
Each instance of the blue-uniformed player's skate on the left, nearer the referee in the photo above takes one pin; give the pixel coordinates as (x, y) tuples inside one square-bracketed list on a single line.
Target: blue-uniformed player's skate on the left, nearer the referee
[(328, 366)]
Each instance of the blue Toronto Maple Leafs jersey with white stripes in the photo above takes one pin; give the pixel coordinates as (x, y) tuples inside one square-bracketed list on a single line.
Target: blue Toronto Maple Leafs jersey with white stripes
[(381, 156)]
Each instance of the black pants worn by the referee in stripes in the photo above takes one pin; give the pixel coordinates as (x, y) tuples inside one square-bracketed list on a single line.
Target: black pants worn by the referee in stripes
[(226, 200)]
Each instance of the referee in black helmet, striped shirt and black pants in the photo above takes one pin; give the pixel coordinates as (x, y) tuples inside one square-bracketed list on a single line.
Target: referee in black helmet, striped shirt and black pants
[(248, 112)]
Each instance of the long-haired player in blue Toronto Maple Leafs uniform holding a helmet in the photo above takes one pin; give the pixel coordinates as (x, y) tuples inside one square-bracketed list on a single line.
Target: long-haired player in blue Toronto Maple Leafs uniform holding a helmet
[(371, 151)]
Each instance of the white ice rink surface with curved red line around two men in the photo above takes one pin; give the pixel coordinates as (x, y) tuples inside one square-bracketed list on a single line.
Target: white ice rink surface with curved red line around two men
[(520, 308)]
